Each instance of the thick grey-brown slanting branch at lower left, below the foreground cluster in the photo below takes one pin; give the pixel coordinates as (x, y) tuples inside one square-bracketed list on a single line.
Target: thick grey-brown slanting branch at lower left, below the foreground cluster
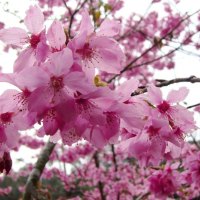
[(34, 177)]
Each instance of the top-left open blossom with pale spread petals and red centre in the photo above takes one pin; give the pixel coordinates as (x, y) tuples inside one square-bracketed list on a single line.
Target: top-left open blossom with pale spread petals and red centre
[(37, 49)]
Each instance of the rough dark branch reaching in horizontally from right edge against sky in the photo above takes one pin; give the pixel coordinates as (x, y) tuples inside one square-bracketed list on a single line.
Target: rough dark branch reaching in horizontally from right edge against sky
[(191, 79)]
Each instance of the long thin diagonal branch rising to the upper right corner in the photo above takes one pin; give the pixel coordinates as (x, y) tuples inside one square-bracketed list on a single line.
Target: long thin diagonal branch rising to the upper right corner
[(128, 66)]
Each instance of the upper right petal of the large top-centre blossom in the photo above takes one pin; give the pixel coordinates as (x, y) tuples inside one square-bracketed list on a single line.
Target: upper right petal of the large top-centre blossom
[(109, 28)]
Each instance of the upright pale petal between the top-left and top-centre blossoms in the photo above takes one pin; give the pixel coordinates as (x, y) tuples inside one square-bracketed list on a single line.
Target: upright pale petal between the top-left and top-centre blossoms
[(56, 35)]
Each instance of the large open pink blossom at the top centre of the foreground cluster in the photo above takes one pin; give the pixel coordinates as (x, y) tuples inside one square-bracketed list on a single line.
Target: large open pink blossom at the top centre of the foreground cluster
[(97, 49)]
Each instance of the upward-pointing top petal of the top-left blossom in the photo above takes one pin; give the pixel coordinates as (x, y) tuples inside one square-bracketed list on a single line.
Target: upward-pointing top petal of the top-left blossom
[(34, 20)]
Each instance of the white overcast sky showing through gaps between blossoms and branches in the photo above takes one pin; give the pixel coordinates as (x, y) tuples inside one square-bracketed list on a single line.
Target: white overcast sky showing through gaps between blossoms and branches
[(185, 65)]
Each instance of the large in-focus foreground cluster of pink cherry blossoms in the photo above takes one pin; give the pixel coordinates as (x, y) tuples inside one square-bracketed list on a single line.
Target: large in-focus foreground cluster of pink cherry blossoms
[(59, 86)]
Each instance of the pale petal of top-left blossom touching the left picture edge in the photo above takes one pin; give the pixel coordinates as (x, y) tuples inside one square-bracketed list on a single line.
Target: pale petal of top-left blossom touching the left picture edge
[(15, 36)]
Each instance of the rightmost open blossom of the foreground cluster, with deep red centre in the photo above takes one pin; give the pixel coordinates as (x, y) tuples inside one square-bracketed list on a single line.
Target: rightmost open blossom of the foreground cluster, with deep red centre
[(180, 119)]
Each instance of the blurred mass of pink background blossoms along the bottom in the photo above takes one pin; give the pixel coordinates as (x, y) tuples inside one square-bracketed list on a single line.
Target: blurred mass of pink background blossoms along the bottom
[(119, 175)]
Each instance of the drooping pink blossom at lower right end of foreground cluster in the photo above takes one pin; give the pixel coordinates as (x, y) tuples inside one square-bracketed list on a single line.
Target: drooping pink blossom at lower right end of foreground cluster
[(148, 146)]
